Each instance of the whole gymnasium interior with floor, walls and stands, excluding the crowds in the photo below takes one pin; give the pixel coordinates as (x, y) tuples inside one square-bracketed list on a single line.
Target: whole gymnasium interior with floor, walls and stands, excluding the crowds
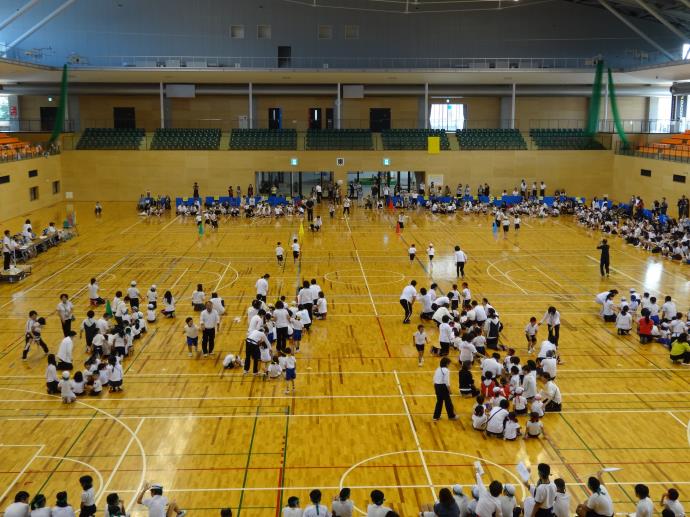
[(411, 104)]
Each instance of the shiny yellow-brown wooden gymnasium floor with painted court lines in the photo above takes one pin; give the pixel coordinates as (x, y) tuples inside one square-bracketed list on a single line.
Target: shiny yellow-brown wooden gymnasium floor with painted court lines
[(361, 416)]
